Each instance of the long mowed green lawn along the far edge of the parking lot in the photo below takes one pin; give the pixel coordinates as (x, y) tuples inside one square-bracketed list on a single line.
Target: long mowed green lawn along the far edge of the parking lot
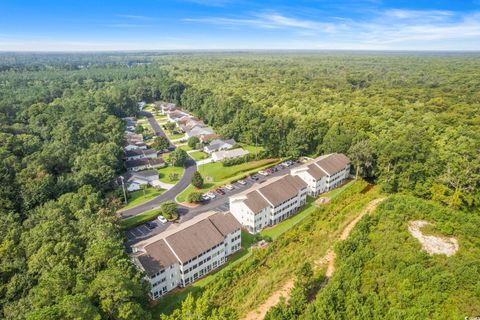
[(222, 175)]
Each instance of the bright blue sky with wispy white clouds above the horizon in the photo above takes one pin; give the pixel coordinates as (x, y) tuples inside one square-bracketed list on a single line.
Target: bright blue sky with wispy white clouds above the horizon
[(77, 25)]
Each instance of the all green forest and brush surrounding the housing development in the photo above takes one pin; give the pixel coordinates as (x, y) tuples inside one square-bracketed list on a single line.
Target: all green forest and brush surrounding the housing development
[(409, 122)]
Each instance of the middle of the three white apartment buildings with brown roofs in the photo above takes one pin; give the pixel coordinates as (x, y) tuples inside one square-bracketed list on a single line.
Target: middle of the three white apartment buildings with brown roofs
[(266, 204)]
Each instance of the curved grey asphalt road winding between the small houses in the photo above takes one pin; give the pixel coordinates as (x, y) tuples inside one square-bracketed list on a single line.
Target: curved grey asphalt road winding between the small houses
[(190, 168)]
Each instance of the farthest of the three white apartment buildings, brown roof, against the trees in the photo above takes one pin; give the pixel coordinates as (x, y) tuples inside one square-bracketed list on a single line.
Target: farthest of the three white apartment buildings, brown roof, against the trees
[(324, 173)]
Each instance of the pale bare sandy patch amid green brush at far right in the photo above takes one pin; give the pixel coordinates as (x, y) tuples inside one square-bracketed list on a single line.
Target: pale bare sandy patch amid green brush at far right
[(432, 244)]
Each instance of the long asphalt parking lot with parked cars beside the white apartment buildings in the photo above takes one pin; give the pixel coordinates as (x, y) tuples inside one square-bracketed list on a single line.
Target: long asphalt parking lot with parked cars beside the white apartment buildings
[(219, 203)]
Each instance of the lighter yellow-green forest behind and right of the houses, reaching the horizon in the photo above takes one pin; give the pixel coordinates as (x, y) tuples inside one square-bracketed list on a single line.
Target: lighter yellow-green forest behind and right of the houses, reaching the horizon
[(410, 122)]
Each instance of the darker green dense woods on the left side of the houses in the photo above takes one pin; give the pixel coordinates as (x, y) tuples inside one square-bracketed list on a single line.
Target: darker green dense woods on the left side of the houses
[(61, 139)]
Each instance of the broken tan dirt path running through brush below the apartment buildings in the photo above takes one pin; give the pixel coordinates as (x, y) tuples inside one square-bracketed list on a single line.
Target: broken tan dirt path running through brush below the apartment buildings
[(328, 258)]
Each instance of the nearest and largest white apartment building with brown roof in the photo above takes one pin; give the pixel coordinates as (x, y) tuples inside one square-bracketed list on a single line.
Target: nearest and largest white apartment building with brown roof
[(182, 254)]
